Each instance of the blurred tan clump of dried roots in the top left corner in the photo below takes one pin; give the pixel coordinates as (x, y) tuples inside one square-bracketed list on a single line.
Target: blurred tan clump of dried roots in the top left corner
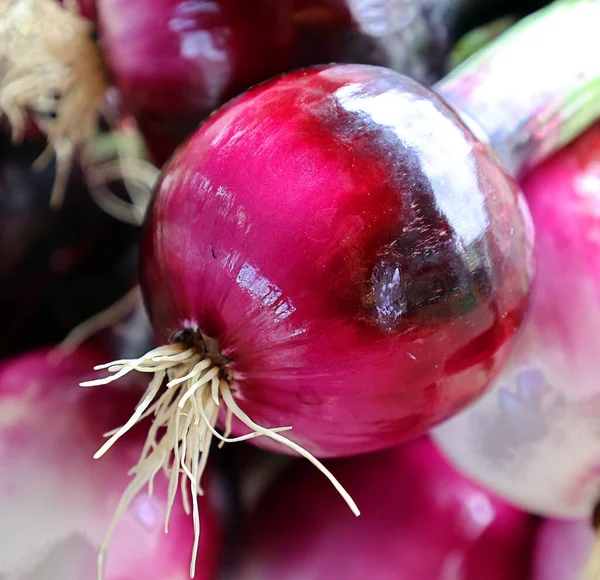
[(50, 69)]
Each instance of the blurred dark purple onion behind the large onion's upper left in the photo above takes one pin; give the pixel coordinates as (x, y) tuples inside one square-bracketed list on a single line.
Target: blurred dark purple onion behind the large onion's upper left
[(176, 61)]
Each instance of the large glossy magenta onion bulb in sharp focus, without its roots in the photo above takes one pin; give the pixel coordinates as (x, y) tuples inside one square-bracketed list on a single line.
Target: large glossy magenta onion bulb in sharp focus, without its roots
[(362, 260)]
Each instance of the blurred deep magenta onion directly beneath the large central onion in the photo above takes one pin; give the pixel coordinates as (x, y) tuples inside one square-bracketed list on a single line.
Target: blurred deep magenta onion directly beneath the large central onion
[(420, 520)]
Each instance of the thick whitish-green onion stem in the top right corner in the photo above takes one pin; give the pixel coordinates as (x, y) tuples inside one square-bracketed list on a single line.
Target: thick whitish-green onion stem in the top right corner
[(536, 87)]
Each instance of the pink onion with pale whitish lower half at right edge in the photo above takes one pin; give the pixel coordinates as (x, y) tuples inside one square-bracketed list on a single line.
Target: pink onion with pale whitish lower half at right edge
[(535, 437)]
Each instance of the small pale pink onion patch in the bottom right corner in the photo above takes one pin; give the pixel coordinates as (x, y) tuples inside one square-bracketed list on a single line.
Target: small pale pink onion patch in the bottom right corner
[(561, 549)]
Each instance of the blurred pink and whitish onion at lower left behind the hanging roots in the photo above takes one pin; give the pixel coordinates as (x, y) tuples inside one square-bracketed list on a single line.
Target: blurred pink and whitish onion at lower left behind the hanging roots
[(57, 501)]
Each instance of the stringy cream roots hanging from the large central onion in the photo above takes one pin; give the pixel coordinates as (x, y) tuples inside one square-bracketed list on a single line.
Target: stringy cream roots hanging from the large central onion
[(185, 415)]
